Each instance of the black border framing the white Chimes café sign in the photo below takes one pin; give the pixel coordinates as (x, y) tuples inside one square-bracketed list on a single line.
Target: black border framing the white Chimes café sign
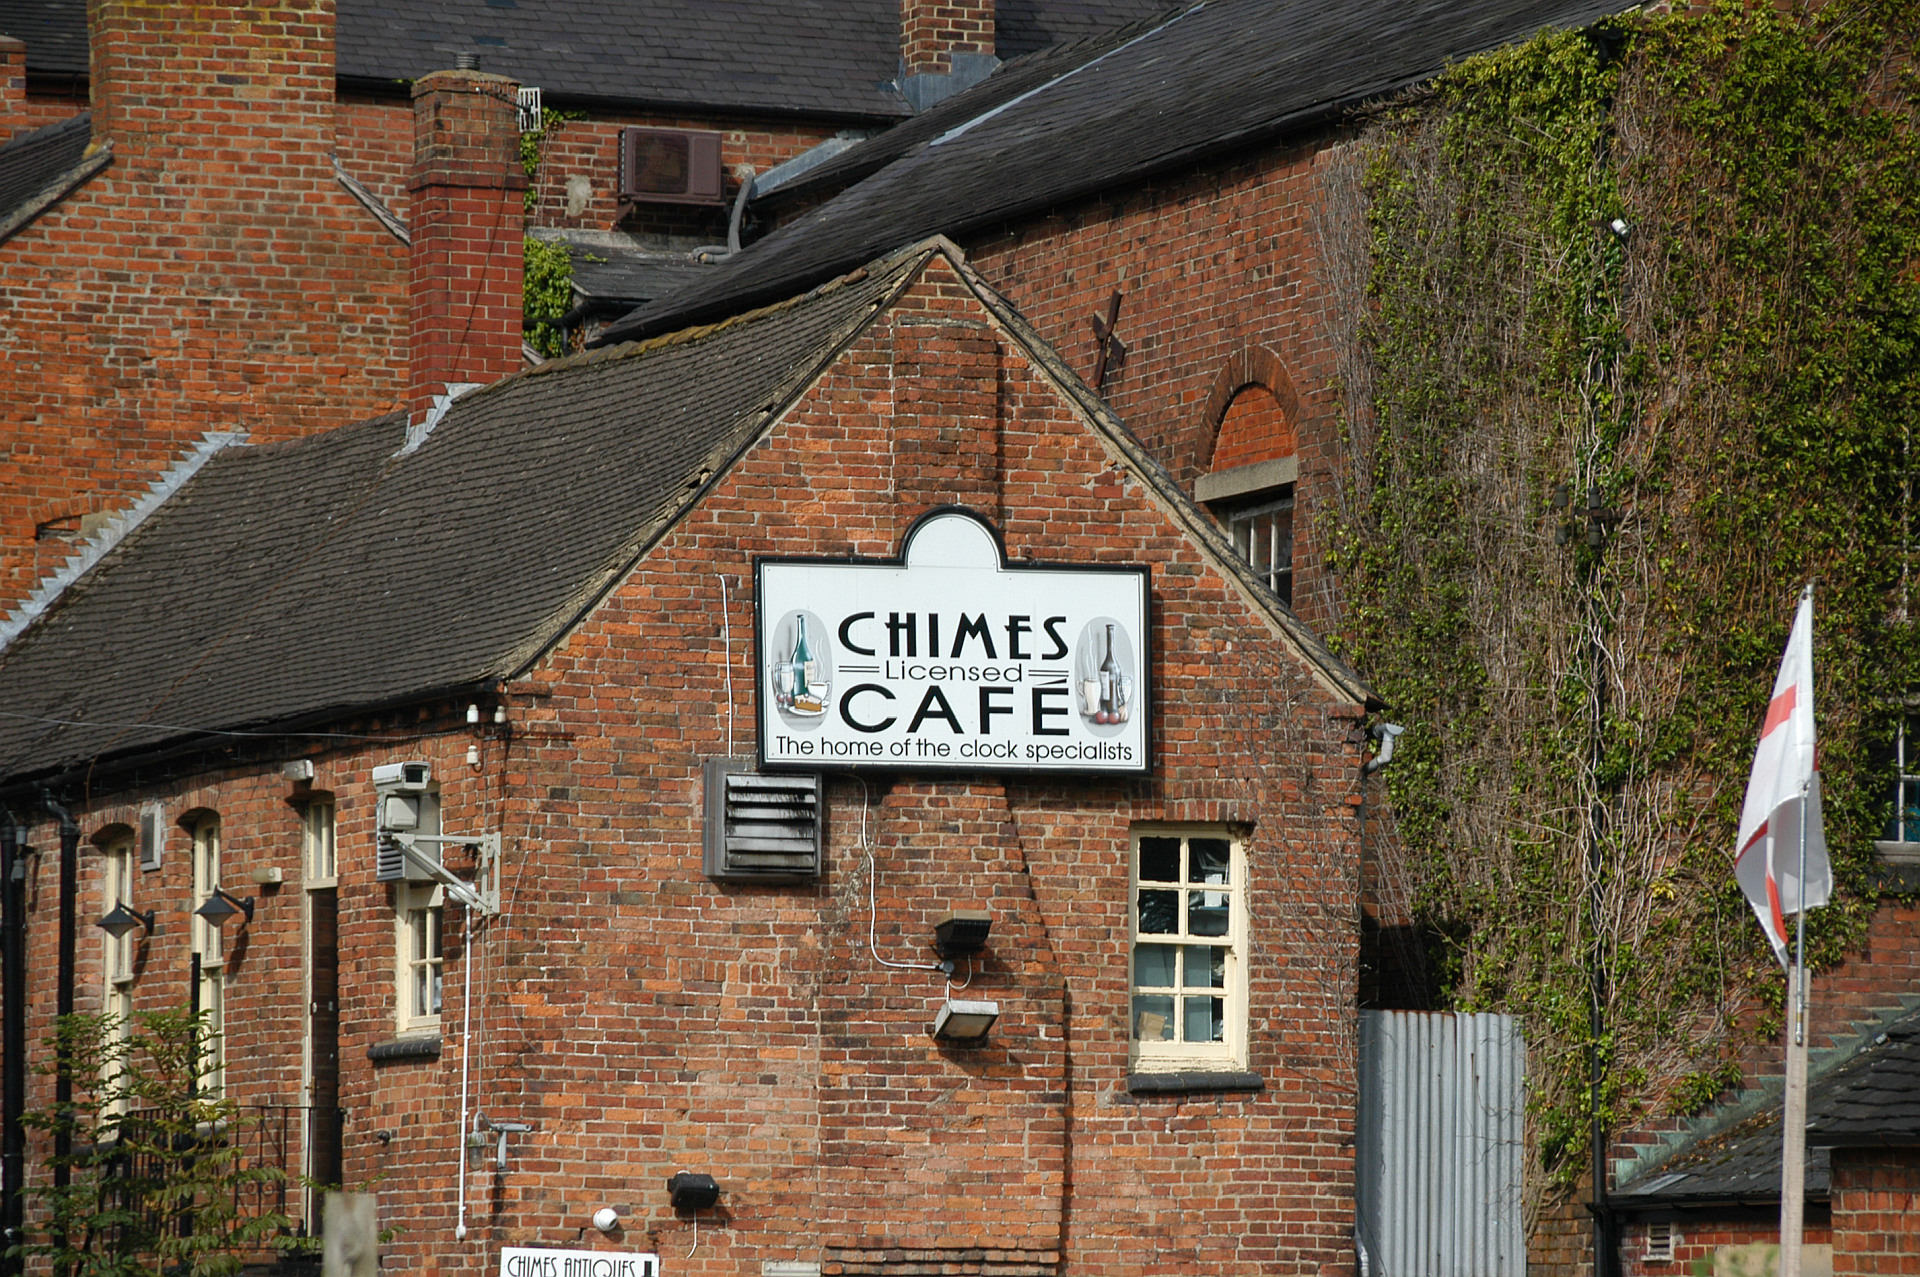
[(859, 765)]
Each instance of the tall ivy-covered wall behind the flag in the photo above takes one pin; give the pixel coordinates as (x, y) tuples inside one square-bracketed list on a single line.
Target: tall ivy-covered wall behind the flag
[(1635, 356)]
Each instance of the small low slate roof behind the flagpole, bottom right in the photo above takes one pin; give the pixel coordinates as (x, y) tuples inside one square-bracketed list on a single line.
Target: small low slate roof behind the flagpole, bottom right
[(1867, 1094)]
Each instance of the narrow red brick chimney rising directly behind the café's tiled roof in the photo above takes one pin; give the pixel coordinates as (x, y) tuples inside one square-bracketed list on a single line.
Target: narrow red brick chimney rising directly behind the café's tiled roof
[(468, 228)]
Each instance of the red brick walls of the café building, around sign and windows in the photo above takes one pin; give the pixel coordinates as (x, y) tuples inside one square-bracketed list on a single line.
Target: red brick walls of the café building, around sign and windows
[(648, 1021)]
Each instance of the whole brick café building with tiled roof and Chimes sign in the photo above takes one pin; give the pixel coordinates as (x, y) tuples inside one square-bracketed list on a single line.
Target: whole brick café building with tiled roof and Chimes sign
[(565, 604)]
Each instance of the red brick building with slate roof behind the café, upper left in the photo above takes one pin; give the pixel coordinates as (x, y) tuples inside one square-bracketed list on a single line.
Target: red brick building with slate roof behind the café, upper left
[(204, 208)]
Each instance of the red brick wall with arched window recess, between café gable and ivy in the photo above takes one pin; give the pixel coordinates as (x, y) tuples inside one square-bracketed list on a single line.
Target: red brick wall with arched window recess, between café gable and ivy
[(1211, 264)]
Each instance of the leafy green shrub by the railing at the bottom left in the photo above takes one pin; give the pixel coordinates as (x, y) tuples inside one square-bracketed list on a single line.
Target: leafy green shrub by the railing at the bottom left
[(158, 1182)]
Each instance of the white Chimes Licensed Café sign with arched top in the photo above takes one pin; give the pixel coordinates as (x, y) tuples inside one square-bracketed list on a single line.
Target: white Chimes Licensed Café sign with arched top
[(949, 660)]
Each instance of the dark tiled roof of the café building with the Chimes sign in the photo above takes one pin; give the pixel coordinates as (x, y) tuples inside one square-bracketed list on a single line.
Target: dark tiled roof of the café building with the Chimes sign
[(297, 583)]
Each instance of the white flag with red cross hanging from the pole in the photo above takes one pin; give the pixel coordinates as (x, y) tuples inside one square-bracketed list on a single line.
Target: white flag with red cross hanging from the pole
[(1783, 798)]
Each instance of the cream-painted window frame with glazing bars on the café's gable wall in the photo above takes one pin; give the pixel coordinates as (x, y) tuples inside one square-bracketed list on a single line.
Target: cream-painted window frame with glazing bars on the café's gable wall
[(1174, 1055)]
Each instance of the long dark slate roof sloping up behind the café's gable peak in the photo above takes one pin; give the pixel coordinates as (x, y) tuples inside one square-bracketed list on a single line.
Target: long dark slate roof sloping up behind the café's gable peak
[(1216, 76)]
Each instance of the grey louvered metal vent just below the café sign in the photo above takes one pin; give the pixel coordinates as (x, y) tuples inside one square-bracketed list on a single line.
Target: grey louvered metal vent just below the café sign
[(761, 827)]
